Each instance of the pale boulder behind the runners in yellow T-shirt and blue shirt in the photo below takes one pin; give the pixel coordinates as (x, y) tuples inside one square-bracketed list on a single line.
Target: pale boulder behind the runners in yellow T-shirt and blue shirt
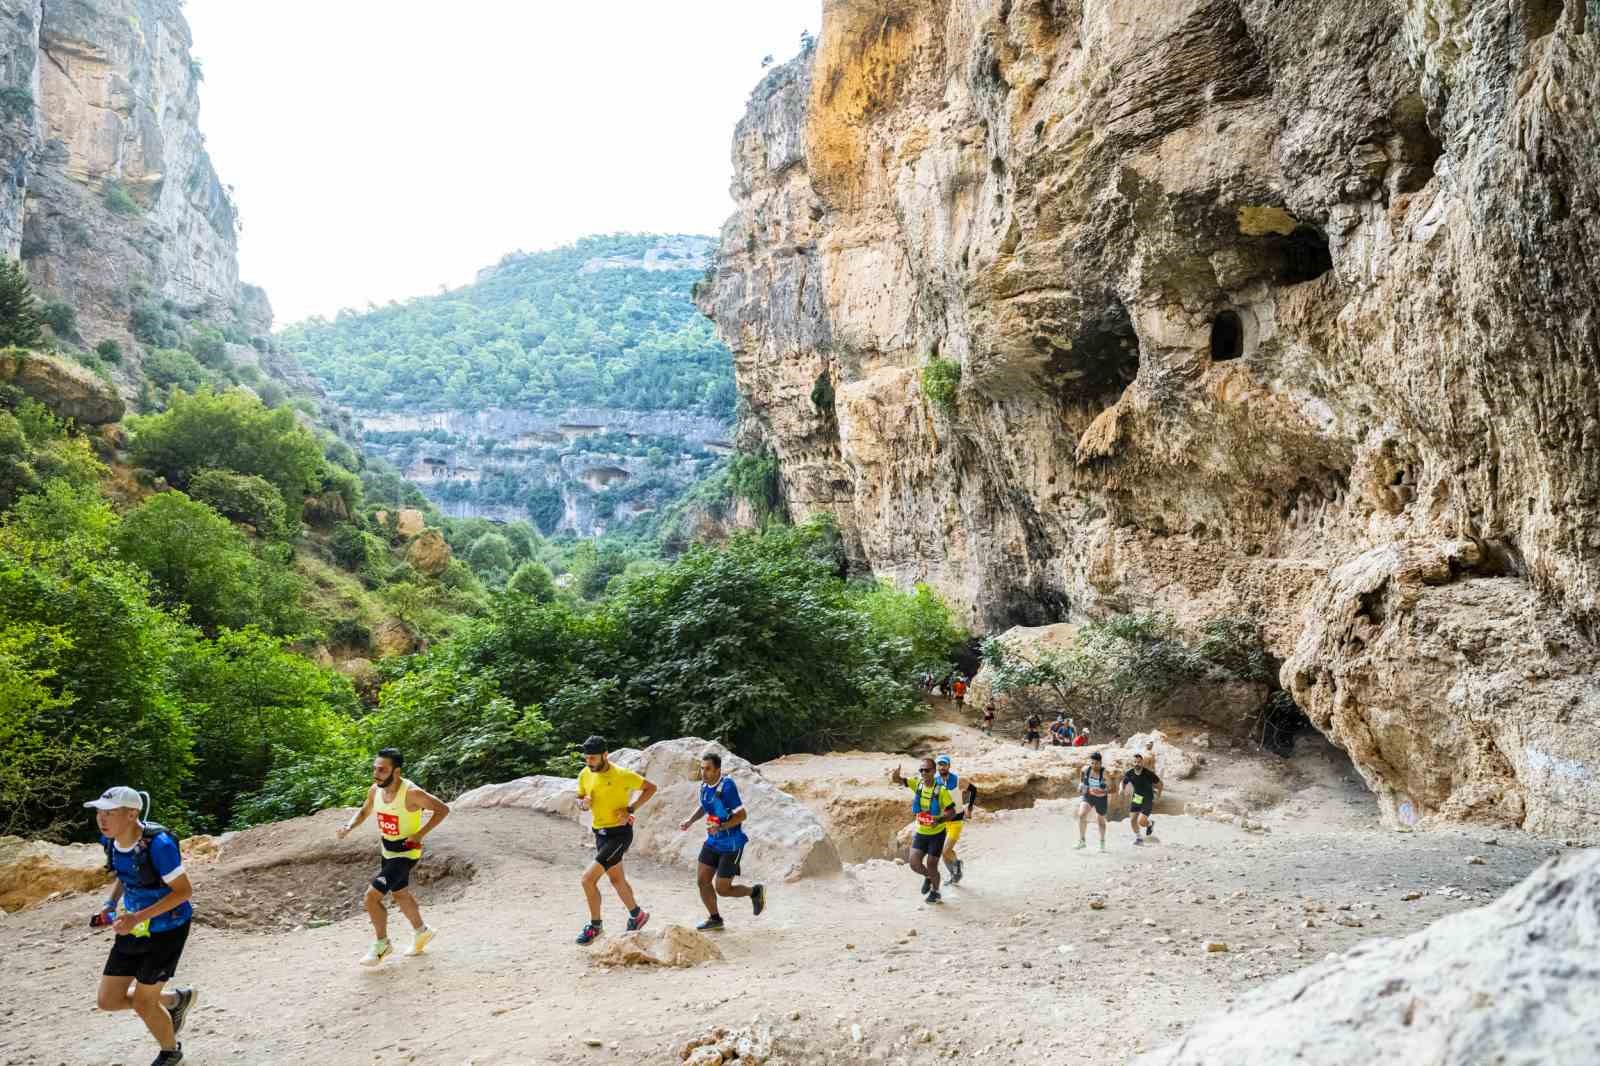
[(788, 841)]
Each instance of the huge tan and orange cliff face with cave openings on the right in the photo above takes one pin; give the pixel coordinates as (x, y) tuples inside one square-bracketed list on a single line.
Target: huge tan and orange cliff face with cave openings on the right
[(1260, 307)]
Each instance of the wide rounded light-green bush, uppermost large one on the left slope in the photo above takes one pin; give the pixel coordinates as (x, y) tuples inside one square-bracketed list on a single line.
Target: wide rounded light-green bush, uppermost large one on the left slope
[(236, 433)]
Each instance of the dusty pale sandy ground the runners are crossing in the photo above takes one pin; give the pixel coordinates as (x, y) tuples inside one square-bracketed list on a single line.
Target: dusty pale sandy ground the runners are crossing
[(1014, 968)]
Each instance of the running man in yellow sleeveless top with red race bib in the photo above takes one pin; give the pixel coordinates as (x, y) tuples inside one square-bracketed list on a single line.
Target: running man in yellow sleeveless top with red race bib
[(401, 830)]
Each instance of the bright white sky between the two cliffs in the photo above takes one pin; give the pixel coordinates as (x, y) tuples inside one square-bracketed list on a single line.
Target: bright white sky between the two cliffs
[(380, 150)]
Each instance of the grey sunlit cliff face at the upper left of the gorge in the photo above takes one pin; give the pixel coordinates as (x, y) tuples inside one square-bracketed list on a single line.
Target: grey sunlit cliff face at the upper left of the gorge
[(122, 202)]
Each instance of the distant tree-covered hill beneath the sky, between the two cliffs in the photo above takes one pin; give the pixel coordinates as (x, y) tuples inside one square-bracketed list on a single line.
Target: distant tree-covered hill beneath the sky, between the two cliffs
[(537, 334)]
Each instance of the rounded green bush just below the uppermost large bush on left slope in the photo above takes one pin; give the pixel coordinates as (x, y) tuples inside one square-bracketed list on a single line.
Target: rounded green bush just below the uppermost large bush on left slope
[(202, 563)]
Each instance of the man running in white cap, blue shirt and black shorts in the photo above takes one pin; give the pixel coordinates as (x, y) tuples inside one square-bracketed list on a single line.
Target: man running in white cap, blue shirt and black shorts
[(154, 924)]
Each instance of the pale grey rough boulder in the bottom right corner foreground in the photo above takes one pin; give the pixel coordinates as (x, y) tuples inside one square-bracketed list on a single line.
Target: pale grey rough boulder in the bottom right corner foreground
[(1505, 984)]
